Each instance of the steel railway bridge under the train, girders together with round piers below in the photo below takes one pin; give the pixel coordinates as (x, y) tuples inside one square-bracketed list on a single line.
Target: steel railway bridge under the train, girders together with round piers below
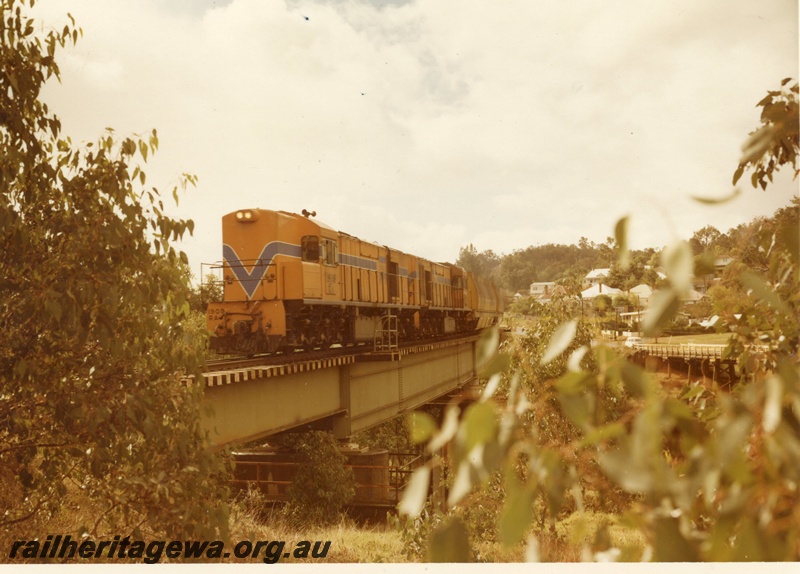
[(346, 393)]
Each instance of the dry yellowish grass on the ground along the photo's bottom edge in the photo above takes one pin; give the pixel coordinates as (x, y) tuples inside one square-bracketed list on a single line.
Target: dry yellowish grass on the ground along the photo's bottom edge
[(350, 542)]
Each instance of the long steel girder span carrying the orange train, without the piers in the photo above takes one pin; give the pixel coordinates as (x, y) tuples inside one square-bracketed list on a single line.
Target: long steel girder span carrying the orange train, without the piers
[(345, 393)]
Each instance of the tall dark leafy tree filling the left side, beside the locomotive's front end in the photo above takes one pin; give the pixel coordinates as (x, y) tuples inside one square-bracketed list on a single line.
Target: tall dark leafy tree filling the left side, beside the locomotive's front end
[(93, 302)]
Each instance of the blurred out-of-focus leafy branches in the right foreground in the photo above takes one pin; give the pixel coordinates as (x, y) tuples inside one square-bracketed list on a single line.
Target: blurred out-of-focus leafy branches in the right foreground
[(703, 473)]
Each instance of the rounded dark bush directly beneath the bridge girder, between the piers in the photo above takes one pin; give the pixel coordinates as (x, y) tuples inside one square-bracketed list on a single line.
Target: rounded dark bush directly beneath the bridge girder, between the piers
[(322, 485)]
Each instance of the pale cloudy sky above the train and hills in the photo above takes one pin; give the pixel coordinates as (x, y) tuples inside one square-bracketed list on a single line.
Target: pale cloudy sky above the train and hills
[(430, 125)]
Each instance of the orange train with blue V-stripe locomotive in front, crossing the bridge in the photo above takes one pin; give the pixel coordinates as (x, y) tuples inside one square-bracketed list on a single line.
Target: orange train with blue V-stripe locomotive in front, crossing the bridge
[(292, 282)]
